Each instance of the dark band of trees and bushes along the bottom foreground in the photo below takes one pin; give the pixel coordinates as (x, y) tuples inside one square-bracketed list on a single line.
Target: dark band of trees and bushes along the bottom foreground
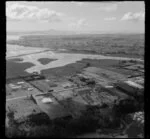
[(107, 119)]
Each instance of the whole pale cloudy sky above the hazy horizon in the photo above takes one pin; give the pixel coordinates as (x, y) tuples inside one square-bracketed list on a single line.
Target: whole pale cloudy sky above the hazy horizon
[(125, 16)]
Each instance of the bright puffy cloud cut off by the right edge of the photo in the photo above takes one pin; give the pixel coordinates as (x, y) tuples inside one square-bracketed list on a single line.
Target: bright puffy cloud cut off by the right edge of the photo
[(133, 16)]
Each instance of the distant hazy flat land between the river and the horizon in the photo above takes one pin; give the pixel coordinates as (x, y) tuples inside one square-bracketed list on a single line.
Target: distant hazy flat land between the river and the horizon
[(131, 45)]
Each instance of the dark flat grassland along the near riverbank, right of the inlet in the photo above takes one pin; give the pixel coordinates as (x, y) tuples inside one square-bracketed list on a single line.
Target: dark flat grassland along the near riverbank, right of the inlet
[(78, 67)]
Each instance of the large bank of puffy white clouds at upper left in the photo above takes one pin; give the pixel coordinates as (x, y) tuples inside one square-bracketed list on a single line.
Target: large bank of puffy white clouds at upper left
[(16, 11)]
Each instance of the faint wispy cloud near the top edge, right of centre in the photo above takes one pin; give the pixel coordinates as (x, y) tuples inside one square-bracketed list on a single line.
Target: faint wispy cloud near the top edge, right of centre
[(108, 8)]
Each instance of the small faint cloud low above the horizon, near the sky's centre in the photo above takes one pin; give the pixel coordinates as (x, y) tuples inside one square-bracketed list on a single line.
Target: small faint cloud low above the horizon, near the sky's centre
[(78, 24)]
